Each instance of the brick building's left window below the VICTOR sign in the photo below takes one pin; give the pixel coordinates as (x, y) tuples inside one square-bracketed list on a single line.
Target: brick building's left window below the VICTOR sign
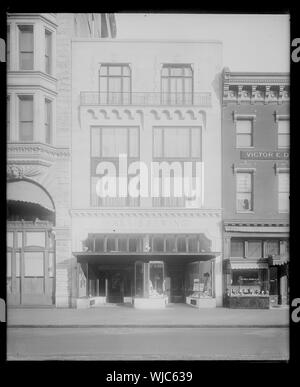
[(244, 191)]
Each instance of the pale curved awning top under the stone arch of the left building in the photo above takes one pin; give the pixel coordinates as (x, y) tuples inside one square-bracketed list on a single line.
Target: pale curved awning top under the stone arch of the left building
[(24, 191)]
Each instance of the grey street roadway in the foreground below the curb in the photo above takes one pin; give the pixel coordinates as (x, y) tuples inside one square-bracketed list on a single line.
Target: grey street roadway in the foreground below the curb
[(217, 343)]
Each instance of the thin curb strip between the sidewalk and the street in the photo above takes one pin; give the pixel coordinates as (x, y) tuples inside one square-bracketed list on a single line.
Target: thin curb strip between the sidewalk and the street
[(147, 326)]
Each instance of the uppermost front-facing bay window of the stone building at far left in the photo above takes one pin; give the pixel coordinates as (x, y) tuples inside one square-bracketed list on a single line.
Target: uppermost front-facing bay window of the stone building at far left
[(26, 47)]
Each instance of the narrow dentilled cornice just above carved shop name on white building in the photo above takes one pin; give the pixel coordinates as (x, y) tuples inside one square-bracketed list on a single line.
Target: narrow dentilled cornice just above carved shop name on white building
[(147, 213)]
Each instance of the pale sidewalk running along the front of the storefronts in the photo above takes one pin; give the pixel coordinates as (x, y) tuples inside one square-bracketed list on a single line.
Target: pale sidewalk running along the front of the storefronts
[(174, 315)]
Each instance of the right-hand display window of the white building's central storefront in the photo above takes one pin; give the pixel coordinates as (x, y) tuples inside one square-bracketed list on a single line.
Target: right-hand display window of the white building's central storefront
[(199, 279)]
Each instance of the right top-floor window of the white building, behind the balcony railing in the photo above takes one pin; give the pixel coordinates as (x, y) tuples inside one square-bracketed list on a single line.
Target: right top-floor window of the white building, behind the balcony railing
[(177, 84)]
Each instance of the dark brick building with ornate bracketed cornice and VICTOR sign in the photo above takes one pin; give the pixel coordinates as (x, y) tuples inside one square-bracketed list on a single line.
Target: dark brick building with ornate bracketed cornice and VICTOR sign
[(255, 173)]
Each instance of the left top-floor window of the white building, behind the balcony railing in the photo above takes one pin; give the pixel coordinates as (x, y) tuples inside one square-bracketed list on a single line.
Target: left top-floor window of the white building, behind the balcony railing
[(115, 84)]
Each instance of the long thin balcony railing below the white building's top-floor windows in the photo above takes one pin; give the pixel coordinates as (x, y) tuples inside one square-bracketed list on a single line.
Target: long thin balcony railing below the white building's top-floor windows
[(90, 98)]
